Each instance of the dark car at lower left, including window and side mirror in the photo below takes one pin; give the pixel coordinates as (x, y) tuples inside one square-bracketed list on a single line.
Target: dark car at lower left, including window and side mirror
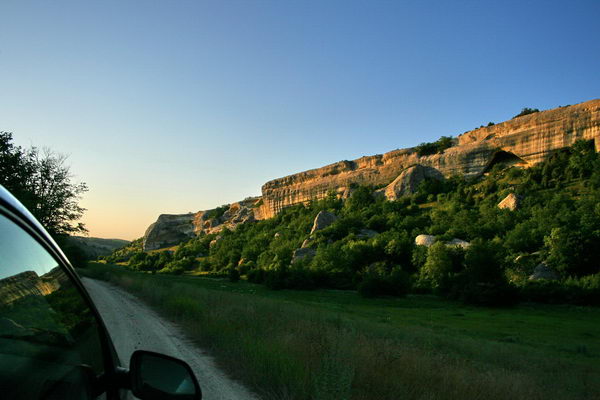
[(53, 342)]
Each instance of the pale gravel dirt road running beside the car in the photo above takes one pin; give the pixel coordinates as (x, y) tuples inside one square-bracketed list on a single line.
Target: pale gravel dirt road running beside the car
[(134, 326)]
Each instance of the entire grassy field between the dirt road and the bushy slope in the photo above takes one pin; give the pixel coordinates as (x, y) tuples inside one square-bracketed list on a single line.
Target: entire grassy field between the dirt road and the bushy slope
[(337, 345)]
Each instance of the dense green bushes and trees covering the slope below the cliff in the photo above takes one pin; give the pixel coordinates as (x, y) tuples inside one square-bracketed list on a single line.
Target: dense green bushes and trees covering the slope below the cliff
[(371, 245)]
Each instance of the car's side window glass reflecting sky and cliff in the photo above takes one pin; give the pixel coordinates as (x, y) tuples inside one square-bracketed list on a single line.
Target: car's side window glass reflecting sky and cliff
[(49, 343)]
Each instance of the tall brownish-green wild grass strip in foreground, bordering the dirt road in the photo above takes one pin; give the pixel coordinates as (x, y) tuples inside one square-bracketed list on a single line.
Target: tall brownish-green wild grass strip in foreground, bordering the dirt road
[(285, 350)]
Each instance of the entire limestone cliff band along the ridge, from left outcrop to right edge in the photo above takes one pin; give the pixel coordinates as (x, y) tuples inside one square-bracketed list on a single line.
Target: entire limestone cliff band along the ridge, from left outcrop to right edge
[(523, 141)]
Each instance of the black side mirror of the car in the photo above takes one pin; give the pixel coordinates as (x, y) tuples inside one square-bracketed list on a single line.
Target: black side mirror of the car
[(156, 376)]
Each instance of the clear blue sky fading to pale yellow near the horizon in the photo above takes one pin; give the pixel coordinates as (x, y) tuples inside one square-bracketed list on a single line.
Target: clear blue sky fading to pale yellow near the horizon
[(178, 106)]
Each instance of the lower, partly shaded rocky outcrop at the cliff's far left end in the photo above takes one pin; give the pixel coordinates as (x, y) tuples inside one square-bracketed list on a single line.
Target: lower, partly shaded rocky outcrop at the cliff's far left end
[(169, 230)]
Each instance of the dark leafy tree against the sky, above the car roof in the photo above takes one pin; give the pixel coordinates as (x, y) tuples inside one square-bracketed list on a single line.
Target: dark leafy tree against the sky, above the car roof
[(43, 182)]
